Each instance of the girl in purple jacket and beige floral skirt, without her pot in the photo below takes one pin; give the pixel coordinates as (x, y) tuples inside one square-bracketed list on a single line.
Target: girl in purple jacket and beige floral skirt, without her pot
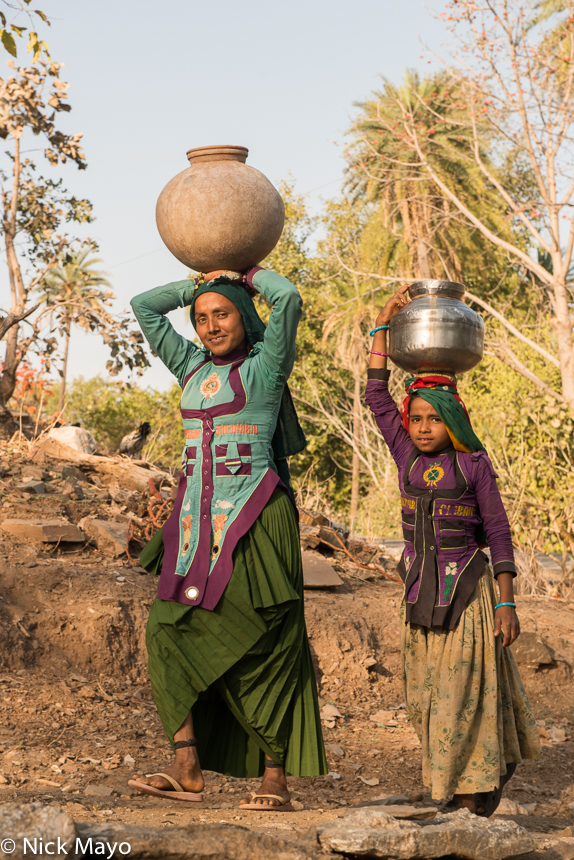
[(463, 691)]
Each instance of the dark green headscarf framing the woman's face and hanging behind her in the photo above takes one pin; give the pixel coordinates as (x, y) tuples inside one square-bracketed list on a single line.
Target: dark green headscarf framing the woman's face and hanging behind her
[(288, 438)]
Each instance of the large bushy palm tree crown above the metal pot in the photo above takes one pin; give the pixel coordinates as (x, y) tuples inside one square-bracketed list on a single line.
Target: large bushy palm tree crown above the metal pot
[(422, 233)]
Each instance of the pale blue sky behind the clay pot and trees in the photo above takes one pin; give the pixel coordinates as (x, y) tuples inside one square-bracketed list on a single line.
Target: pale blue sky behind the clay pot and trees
[(150, 80)]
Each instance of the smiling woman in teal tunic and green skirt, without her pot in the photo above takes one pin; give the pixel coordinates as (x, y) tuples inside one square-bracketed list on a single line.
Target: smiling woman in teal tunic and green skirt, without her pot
[(229, 659)]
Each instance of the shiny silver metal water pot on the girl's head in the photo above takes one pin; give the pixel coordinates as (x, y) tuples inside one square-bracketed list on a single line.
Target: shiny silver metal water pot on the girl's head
[(436, 330)]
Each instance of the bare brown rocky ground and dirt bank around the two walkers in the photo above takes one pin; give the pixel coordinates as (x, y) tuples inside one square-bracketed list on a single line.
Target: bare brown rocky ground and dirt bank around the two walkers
[(78, 718)]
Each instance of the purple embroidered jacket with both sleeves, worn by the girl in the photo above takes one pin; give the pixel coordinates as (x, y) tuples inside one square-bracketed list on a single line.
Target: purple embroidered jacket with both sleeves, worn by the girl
[(445, 496)]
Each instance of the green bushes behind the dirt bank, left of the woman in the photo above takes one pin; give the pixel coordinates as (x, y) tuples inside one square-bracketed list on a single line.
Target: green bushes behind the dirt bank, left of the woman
[(109, 410)]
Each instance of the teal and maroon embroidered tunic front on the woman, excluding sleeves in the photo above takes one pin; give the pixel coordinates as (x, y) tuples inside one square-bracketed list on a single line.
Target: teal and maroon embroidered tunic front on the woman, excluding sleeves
[(227, 479)]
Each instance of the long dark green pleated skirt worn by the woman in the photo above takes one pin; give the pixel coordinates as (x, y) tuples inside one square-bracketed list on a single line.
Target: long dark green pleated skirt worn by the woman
[(244, 669)]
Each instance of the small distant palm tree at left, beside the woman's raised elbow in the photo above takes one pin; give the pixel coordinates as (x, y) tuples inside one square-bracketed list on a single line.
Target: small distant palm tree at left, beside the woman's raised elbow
[(72, 288)]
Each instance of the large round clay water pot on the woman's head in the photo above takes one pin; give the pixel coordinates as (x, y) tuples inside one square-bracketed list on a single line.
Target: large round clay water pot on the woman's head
[(220, 213)]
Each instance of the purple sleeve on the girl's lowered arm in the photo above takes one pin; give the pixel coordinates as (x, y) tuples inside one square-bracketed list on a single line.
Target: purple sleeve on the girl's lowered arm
[(493, 515)]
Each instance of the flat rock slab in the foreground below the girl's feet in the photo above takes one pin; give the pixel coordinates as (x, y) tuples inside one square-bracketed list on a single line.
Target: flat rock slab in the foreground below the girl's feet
[(372, 833)]
